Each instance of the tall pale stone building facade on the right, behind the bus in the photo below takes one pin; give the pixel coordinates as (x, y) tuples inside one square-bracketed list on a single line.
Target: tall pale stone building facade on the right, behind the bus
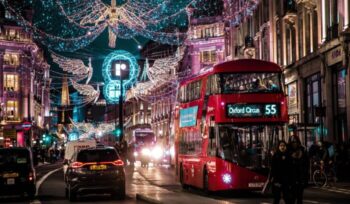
[(310, 40)]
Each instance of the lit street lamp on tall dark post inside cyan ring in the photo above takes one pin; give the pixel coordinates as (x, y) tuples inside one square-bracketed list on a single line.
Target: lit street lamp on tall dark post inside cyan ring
[(121, 72)]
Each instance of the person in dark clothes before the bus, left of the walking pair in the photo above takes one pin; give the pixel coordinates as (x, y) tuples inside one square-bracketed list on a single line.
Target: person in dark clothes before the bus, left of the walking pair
[(280, 170)]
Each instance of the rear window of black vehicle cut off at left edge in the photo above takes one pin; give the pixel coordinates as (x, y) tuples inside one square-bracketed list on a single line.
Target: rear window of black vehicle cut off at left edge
[(14, 157)]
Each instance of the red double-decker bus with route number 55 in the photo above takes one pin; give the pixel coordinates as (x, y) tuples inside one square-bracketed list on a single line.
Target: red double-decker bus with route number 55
[(226, 122)]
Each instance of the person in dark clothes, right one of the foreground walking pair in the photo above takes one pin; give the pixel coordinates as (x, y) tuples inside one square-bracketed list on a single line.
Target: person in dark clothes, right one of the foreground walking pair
[(299, 169)]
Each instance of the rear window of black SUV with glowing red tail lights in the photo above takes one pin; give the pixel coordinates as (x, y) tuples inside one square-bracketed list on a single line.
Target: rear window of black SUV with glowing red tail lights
[(97, 155)]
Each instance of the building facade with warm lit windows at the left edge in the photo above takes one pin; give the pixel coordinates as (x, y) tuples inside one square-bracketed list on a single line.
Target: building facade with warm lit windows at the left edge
[(25, 82)]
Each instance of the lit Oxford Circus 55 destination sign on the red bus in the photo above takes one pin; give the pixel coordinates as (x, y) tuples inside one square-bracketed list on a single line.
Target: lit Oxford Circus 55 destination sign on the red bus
[(252, 110)]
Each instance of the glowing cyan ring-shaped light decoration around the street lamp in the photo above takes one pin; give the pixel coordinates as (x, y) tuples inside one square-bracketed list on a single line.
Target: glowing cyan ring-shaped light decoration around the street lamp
[(112, 68)]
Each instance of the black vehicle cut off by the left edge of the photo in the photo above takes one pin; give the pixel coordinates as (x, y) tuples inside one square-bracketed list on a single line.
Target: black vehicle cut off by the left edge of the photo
[(17, 173)]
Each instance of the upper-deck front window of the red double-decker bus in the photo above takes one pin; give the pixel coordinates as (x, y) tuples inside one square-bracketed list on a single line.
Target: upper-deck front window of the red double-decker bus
[(249, 82)]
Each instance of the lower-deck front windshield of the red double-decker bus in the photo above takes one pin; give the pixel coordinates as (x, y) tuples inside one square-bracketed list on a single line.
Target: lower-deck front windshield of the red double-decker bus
[(248, 146)]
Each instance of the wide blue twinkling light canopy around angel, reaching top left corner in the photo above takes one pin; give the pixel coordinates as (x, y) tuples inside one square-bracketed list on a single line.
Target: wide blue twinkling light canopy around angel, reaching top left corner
[(68, 25)]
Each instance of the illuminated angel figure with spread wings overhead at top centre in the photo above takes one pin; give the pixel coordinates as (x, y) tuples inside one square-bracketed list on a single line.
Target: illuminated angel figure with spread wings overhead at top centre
[(126, 20)]
